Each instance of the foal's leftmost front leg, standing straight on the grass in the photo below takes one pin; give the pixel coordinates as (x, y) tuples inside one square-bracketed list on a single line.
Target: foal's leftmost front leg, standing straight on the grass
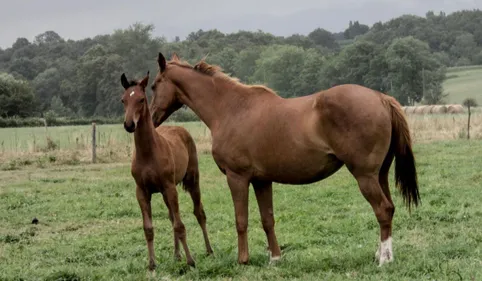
[(144, 200)]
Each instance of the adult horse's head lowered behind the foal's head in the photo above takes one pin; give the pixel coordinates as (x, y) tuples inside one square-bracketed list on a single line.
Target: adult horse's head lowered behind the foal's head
[(165, 99)]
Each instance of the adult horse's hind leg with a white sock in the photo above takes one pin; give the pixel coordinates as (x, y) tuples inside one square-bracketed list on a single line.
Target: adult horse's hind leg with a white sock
[(383, 208)]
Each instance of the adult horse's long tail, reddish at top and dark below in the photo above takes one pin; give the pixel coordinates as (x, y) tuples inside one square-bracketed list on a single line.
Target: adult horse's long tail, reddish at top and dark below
[(401, 144)]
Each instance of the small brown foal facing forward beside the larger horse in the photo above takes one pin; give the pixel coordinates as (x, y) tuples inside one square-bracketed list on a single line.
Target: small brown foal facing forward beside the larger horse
[(163, 158)]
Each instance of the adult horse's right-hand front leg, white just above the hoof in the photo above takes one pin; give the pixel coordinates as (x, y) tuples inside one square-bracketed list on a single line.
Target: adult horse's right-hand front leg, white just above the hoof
[(264, 196)]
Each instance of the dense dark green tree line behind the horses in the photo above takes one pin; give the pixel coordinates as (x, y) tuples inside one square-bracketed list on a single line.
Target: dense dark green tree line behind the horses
[(405, 57)]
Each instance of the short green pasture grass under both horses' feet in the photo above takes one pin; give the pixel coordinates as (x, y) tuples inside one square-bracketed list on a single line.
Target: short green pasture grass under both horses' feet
[(90, 226)]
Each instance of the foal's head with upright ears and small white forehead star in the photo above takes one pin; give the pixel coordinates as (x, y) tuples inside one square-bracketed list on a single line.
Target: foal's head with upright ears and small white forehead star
[(135, 101)]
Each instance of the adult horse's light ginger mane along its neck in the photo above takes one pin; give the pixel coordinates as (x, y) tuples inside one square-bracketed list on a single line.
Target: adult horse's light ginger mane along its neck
[(216, 71)]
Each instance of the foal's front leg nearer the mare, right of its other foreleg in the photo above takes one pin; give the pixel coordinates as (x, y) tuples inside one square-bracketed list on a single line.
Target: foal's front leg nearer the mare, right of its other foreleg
[(179, 228)]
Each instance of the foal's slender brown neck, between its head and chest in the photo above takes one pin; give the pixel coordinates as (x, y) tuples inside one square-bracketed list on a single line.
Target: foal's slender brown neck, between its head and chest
[(144, 136)]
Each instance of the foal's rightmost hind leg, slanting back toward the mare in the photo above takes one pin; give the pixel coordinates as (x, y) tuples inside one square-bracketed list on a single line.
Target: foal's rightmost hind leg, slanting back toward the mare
[(191, 183)]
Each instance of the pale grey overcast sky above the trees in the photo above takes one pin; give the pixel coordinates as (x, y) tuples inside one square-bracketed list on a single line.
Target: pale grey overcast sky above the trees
[(87, 18)]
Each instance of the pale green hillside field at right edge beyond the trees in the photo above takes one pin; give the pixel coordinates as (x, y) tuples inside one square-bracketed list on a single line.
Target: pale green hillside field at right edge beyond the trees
[(464, 82)]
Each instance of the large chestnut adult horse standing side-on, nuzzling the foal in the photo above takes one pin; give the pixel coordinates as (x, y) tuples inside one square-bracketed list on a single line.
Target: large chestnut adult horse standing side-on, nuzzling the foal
[(259, 137)]
